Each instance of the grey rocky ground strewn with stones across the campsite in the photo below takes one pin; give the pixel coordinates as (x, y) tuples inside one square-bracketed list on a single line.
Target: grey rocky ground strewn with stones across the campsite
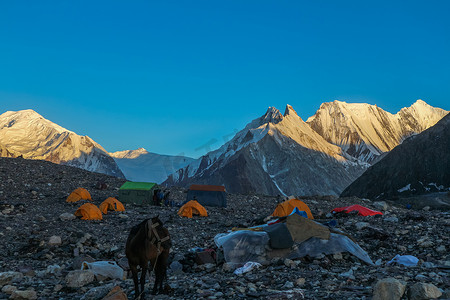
[(40, 248)]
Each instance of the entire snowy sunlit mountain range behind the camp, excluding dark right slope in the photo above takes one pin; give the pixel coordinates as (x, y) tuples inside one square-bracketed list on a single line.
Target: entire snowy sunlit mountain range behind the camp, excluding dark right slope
[(274, 154)]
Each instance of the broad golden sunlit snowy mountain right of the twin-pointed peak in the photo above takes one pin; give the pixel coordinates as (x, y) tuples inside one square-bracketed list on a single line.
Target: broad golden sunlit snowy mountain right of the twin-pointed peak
[(366, 131)]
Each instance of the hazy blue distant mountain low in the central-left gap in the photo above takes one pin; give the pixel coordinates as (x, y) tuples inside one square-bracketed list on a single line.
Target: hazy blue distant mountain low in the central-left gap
[(141, 165)]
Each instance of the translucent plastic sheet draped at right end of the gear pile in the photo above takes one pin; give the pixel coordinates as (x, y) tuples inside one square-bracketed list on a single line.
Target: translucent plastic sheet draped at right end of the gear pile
[(337, 243)]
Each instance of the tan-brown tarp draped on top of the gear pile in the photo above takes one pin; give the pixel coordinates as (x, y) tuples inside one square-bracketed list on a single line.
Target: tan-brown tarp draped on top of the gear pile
[(302, 229)]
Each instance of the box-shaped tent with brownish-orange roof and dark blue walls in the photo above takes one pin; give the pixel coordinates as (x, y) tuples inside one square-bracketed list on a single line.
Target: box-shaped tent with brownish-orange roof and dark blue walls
[(208, 195)]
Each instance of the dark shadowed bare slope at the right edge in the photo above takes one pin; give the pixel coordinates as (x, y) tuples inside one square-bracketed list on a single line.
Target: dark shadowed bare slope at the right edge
[(421, 164)]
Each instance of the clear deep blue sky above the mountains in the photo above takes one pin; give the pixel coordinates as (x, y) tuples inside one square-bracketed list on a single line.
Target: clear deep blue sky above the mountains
[(171, 76)]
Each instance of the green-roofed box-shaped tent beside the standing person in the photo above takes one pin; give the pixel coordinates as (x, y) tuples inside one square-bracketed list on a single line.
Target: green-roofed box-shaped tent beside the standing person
[(137, 192)]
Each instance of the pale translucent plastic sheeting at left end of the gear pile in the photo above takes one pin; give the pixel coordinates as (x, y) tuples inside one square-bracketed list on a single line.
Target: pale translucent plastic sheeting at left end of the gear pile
[(242, 246)]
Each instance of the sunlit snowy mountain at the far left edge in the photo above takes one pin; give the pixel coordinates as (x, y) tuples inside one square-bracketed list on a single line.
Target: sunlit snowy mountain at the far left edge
[(26, 133)]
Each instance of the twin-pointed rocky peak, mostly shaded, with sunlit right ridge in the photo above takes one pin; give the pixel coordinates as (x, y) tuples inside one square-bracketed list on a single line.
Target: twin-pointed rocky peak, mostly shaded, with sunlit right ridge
[(271, 148)]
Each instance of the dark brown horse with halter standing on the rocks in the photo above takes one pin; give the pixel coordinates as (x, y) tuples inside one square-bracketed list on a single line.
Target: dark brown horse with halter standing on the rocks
[(148, 241)]
